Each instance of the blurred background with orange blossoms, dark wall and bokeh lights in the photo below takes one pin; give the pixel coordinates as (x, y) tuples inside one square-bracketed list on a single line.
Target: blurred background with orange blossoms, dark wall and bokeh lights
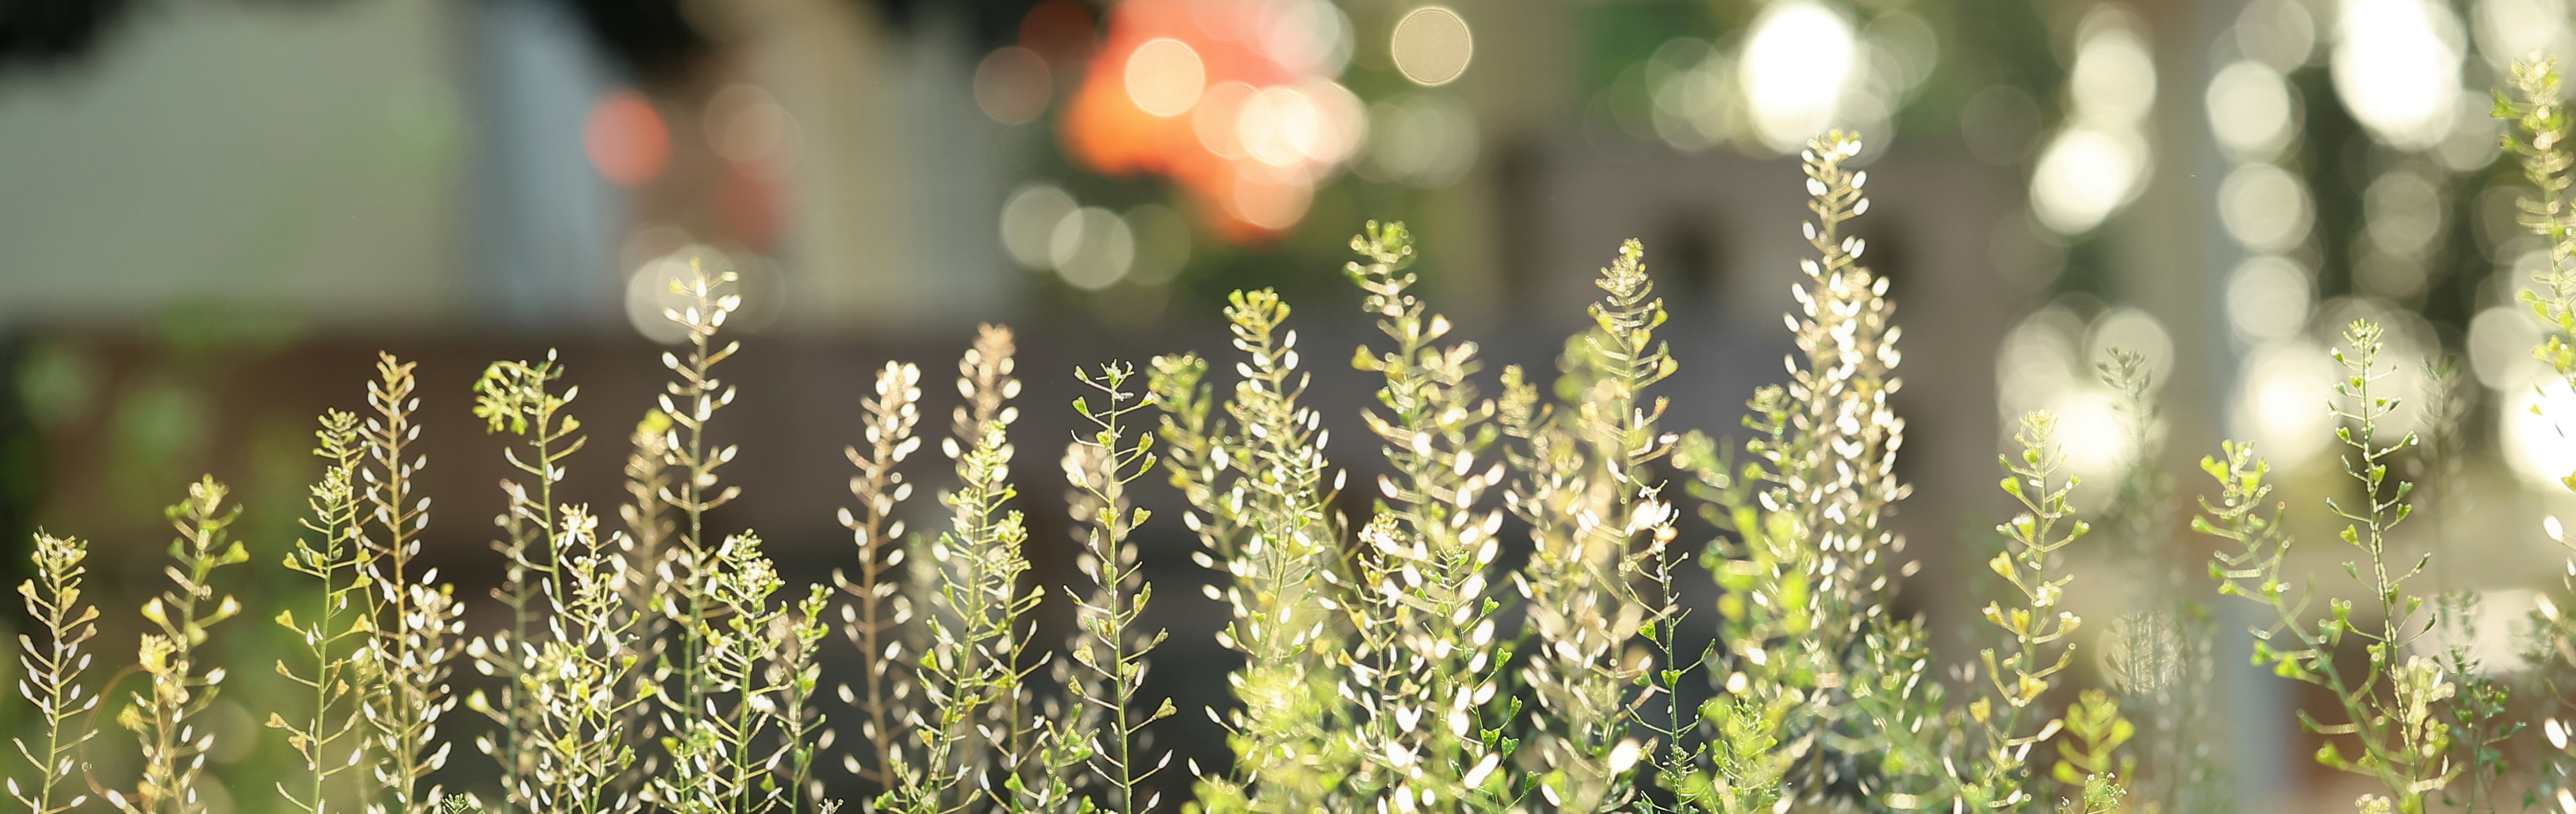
[(215, 213)]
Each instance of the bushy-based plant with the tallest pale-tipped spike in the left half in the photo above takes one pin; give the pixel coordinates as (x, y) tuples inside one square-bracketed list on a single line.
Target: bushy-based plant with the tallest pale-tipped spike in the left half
[(738, 705)]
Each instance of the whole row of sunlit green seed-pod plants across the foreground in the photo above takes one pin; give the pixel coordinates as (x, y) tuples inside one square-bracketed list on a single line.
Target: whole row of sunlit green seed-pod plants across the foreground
[(1552, 604)]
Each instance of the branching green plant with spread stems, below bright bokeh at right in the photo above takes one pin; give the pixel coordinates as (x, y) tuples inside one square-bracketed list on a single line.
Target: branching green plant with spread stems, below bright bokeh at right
[(2400, 735)]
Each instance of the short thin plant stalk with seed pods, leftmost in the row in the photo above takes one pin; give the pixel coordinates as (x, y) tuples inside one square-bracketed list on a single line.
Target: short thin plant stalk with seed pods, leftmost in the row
[(53, 671)]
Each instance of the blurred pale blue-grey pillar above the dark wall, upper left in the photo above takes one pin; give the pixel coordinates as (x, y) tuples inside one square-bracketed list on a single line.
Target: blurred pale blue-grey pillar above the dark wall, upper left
[(542, 223)]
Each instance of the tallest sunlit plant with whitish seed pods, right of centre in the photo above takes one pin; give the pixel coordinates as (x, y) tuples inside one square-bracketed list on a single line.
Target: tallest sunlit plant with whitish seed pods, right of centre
[(1820, 684)]
